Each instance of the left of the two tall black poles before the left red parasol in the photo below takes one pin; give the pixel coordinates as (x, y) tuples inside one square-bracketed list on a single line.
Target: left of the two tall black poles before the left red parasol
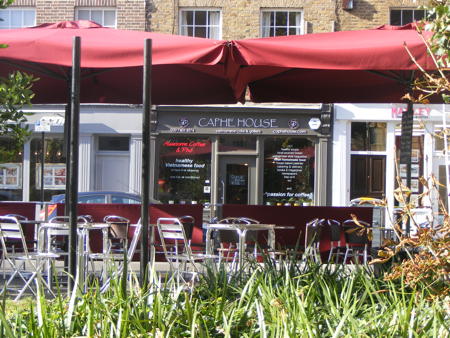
[(74, 144)]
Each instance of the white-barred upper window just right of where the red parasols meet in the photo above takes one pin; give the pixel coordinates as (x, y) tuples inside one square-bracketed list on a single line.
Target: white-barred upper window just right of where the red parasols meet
[(278, 23)]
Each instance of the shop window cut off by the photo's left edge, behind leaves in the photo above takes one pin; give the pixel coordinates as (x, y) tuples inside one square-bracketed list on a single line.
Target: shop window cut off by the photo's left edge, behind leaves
[(10, 171)]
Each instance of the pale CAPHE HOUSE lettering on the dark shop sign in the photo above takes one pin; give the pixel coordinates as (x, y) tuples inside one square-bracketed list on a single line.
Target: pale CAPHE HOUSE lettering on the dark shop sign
[(241, 122)]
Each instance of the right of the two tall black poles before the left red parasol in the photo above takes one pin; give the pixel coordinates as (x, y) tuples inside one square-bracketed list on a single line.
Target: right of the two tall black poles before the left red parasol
[(145, 188)]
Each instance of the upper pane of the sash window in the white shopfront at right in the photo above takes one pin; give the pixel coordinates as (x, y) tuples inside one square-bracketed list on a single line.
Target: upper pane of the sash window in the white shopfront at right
[(368, 136)]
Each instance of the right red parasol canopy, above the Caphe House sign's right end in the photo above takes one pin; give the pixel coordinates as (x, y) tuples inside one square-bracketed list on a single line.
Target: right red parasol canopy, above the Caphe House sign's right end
[(348, 66)]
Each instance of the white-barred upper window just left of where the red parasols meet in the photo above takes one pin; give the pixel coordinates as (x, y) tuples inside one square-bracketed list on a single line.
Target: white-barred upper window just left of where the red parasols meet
[(203, 23)]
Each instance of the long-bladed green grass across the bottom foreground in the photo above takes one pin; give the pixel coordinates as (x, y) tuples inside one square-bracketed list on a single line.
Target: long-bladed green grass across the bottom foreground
[(290, 301)]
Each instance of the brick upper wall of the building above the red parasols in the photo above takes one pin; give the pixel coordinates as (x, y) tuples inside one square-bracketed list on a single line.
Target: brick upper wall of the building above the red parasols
[(237, 19)]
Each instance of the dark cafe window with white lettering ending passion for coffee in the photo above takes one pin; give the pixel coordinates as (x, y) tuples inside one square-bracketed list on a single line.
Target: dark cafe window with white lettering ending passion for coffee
[(288, 171)]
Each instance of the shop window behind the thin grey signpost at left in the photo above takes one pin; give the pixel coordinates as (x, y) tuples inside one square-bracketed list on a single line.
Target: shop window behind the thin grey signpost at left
[(54, 168)]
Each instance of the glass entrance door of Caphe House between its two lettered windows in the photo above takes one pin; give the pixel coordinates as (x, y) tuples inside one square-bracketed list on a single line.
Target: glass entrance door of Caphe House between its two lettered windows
[(237, 180)]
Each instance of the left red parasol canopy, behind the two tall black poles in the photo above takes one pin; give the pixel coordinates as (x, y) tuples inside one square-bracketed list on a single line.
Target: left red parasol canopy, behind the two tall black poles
[(185, 70)]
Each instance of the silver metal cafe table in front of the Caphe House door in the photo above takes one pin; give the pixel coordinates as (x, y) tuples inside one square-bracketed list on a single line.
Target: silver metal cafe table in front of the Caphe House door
[(241, 230)]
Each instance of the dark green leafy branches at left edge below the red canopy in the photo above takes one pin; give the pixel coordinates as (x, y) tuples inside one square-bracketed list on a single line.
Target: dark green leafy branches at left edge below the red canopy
[(15, 92)]
